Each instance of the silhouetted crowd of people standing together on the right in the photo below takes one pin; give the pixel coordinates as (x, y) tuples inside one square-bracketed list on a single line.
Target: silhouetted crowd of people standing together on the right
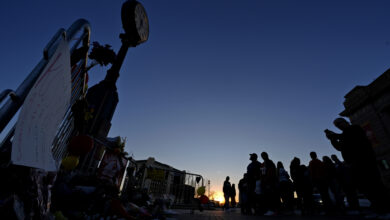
[(319, 188)]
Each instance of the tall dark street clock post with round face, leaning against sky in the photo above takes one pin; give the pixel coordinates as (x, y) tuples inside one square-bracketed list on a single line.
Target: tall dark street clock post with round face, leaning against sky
[(103, 97)]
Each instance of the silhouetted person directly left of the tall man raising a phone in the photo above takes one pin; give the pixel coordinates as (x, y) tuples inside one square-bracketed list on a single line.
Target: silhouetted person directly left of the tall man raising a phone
[(347, 185)]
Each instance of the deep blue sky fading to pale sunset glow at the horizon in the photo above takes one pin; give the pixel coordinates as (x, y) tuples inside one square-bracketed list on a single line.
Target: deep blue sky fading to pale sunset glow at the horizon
[(219, 79)]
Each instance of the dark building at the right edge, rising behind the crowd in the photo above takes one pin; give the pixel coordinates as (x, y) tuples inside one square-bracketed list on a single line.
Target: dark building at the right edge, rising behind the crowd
[(369, 107)]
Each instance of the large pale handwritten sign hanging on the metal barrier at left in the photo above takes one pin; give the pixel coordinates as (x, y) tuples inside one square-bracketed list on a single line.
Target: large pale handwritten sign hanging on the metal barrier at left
[(42, 112)]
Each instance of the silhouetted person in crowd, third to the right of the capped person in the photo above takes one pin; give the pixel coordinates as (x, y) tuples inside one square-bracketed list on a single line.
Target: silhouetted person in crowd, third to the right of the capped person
[(303, 186)]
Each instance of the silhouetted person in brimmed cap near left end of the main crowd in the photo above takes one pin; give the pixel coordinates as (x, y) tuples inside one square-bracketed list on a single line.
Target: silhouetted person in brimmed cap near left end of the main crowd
[(253, 172)]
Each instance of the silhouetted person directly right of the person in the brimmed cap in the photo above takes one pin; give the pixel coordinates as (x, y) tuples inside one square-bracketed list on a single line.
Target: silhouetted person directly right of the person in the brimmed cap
[(268, 182)]
